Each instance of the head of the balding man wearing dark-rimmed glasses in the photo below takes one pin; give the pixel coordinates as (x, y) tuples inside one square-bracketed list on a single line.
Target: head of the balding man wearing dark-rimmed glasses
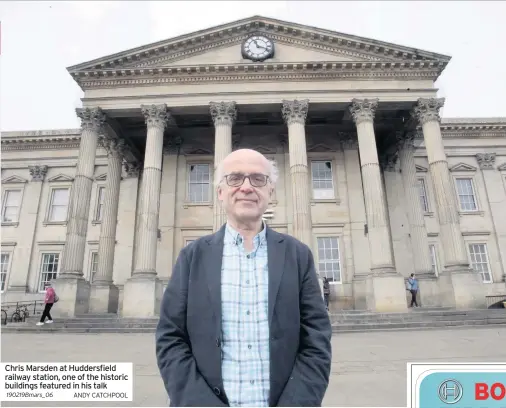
[(245, 181)]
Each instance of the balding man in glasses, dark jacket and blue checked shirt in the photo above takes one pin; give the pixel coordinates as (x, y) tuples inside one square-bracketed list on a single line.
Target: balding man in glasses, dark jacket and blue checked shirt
[(242, 321)]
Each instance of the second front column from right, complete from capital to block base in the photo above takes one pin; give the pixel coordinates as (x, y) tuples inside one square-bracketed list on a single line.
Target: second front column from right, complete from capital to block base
[(387, 285)]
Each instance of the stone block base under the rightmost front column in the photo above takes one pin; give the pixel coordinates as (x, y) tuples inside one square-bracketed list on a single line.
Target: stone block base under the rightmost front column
[(462, 288)]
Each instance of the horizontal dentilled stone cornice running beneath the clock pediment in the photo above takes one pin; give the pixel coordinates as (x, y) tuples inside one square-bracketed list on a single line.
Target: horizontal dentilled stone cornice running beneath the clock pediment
[(222, 73)]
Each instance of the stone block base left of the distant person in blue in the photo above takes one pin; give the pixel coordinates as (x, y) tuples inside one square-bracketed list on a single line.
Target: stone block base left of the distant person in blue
[(387, 293)]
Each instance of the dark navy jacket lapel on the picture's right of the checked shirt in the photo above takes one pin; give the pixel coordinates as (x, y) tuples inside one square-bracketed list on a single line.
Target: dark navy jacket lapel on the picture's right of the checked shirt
[(276, 247)]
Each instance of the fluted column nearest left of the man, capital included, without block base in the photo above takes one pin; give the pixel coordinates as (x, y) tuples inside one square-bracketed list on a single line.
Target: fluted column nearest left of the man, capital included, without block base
[(145, 259)]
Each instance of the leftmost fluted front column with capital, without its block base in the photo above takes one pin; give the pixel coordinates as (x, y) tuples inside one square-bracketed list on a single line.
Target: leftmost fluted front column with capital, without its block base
[(92, 121)]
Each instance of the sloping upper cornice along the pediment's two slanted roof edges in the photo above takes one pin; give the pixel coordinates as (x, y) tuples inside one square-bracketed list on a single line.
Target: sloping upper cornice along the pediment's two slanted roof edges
[(203, 40)]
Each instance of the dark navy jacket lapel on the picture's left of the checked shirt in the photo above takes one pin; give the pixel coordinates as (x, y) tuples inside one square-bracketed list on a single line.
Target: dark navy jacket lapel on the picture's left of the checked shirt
[(211, 262)]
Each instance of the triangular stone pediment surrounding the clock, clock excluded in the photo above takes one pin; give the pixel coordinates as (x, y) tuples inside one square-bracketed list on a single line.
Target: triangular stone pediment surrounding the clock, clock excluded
[(222, 45)]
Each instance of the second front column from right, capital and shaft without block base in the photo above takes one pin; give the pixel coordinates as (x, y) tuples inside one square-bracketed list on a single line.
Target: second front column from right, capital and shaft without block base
[(378, 230)]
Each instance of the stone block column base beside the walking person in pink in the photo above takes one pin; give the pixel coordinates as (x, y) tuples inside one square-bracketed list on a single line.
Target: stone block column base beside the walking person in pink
[(74, 295)]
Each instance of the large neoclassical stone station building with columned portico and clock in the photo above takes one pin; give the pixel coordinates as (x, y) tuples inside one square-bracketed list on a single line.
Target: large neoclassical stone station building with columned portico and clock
[(371, 177)]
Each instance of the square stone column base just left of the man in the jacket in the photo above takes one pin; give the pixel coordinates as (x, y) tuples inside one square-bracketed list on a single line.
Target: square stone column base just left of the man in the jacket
[(142, 296)]
